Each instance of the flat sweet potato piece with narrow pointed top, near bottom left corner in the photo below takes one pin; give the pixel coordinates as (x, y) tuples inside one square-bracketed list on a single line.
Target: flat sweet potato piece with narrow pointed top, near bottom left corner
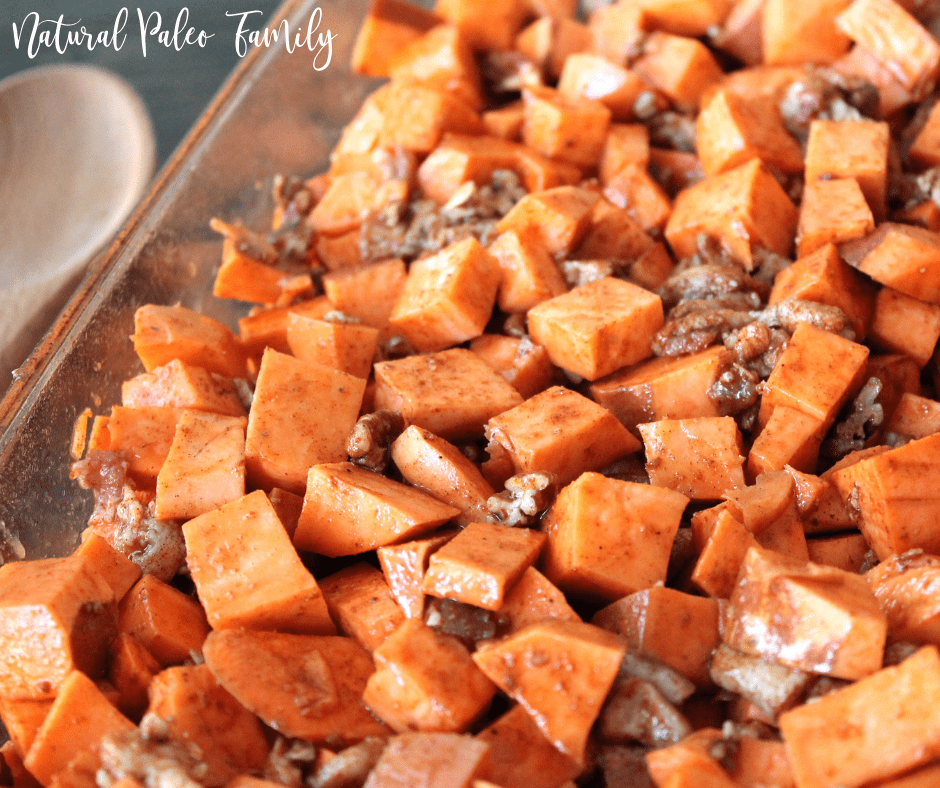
[(79, 718)]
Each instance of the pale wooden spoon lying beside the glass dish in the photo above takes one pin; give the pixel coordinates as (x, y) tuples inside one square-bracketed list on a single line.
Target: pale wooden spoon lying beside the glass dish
[(76, 153)]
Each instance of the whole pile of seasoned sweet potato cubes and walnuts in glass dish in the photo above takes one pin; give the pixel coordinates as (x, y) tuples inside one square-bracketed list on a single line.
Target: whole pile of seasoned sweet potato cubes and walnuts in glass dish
[(584, 432)]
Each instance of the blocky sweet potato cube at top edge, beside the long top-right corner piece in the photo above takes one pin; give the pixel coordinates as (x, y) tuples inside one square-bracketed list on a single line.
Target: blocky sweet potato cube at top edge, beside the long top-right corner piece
[(803, 32)]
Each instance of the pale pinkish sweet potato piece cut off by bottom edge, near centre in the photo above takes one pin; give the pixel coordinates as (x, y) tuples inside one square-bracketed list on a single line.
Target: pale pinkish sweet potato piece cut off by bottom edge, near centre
[(429, 760)]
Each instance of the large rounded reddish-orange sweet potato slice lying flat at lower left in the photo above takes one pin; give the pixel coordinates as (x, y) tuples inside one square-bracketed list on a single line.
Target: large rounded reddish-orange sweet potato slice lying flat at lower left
[(314, 683)]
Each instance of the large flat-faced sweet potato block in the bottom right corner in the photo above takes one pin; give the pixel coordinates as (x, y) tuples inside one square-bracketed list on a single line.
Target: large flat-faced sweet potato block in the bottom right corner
[(838, 741)]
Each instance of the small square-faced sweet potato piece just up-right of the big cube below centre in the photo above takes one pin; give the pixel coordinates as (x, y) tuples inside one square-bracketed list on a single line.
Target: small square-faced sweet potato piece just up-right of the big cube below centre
[(700, 457)]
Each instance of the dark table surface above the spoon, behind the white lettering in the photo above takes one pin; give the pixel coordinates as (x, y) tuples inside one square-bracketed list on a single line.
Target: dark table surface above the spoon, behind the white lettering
[(176, 85)]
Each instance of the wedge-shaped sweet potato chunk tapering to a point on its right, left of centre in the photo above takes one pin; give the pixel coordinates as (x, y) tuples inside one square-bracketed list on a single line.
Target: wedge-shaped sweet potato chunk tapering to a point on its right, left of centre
[(388, 511)]
